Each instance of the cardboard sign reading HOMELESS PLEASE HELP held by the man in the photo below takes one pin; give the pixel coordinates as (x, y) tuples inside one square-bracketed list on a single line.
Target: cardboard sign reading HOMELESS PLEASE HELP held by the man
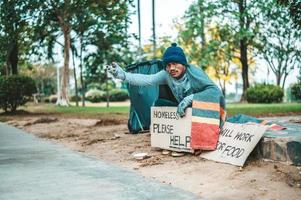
[(169, 131)]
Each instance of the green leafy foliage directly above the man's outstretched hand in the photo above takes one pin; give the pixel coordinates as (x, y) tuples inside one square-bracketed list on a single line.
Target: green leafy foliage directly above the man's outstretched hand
[(110, 40)]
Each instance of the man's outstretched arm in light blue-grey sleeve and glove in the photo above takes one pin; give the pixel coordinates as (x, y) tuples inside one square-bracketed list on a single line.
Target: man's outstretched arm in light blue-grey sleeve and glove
[(137, 79)]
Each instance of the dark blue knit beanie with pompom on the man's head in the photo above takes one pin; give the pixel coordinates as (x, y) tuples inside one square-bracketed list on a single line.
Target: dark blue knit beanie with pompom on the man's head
[(174, 54)]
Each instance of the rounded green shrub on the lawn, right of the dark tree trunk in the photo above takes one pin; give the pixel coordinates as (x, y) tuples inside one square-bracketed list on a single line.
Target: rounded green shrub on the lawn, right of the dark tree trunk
[(264, 93)]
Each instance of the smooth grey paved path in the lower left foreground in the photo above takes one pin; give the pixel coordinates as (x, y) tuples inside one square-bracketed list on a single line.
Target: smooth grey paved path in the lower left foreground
[(31, 168)]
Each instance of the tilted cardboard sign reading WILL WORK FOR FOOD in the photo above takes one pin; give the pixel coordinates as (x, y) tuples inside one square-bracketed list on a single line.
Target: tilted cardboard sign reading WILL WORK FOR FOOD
[(236, 142)]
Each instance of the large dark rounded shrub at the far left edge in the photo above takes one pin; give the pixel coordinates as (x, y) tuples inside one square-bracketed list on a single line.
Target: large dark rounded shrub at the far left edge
[(15, 91)]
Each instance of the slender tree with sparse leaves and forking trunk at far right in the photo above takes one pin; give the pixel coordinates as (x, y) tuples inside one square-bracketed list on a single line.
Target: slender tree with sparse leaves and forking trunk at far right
[(280, 41)]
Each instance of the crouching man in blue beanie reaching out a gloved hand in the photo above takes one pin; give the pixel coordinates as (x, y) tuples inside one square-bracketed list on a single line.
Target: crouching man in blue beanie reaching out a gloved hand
[(185, 81)]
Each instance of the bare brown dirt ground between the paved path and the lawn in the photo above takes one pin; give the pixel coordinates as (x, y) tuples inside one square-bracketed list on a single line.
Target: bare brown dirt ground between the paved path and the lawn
[(105, 136)]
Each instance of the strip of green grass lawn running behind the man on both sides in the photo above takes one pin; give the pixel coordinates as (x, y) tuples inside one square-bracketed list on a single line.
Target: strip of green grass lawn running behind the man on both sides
[(257, 110)]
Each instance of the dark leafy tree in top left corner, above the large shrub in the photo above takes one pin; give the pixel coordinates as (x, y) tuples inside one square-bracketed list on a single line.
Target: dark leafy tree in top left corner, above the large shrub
[(15, 34)]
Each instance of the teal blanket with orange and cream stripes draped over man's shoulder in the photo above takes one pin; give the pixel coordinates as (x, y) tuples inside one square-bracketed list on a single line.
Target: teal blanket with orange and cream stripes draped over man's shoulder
[(208, 110)]
